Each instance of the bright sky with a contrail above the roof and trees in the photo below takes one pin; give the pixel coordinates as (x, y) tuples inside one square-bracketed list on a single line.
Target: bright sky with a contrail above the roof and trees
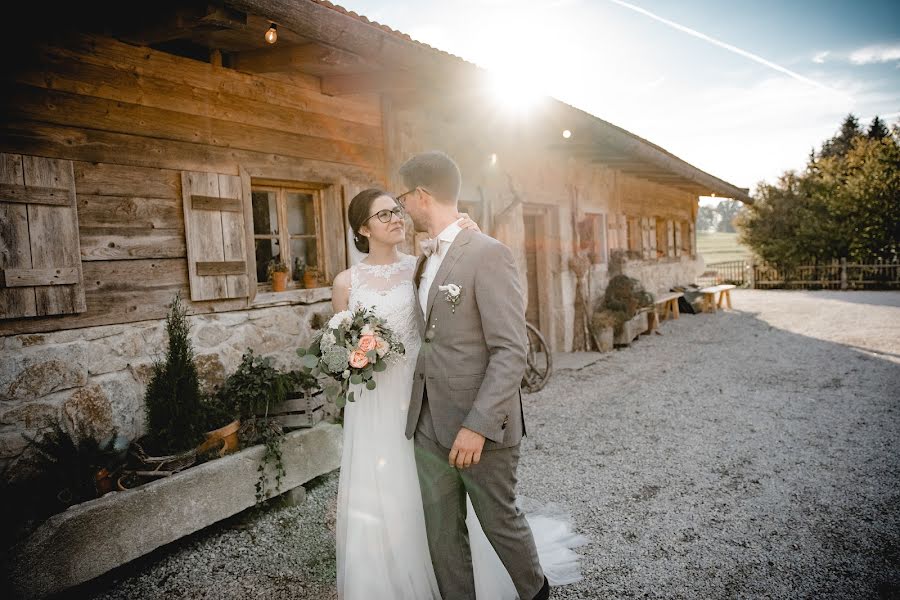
[(743, 90)]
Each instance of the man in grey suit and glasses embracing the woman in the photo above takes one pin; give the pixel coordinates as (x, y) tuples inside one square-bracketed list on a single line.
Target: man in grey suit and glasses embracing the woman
[(466, 408)]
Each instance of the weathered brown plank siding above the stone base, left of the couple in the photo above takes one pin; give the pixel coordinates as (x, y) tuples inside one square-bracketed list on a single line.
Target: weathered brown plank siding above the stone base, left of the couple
[(132, 120)]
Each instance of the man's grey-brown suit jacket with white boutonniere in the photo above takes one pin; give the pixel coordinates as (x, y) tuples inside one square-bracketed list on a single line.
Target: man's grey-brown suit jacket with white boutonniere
[(472, 358)]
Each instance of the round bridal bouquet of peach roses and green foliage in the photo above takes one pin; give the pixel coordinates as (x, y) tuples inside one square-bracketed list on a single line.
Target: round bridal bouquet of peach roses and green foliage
[(354, 346)]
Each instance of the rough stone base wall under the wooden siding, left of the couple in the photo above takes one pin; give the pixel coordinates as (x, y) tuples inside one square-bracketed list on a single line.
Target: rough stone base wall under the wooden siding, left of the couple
[(92, 380)]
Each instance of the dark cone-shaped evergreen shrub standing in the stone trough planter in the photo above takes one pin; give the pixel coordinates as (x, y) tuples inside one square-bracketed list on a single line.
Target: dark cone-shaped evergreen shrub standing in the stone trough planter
[(176, 418)]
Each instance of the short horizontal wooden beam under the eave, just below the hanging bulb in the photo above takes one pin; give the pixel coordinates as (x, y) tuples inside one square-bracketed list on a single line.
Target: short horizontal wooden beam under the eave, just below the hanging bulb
[(317, 59)]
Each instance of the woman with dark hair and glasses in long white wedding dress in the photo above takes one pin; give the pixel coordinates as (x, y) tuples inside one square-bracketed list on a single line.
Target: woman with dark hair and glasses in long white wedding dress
[(382, 549)]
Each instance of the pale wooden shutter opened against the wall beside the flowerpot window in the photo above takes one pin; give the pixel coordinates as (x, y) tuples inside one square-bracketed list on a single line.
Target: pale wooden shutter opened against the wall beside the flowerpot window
[(215, 235)]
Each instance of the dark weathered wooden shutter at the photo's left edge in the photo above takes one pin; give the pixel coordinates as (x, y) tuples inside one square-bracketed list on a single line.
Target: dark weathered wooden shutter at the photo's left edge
[(40, 255)]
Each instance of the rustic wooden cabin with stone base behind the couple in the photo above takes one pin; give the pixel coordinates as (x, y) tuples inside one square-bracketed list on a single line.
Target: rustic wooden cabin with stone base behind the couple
[(172, 149)]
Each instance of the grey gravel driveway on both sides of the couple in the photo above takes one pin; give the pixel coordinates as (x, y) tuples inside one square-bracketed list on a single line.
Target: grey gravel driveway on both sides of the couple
[(748, 454)]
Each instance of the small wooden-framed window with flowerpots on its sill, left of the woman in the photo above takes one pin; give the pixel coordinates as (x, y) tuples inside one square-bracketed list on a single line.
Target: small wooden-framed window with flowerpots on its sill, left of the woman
[(286, 227)]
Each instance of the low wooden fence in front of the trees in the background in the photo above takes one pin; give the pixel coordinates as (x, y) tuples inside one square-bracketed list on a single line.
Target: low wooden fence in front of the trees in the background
[(836, 275)]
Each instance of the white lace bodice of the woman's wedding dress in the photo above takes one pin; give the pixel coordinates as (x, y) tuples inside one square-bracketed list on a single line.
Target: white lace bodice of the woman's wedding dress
[(389, 291)]
